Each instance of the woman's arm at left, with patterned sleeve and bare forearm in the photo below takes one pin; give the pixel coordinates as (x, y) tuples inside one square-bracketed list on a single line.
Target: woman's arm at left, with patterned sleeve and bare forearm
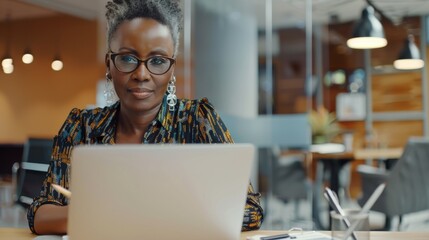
[(48, 212)]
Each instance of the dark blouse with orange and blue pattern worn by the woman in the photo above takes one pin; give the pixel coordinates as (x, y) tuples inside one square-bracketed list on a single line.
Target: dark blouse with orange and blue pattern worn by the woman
[(192, 121)]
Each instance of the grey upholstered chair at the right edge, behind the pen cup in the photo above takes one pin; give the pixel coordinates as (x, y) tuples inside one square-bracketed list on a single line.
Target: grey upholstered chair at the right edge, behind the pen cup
[(407, 182)]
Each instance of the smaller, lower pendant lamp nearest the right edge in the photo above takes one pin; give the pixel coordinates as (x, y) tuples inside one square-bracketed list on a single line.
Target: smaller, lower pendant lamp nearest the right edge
[(409, 57)]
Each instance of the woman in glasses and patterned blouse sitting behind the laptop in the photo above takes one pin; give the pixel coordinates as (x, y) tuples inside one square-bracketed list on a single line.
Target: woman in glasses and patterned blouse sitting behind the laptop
[(143, 38)]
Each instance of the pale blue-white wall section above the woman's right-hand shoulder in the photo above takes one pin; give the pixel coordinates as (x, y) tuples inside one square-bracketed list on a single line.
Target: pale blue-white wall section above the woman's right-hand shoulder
[(226, 58)]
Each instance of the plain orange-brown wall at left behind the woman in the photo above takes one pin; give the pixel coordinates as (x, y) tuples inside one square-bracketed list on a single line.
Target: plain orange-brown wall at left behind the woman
[(34, 99)]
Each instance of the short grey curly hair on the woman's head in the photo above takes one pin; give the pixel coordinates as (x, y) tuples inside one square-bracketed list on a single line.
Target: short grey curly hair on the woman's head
[(166, 12)]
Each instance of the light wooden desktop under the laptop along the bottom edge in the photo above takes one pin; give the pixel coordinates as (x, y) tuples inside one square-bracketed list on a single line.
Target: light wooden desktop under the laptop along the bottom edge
[(25, 234)]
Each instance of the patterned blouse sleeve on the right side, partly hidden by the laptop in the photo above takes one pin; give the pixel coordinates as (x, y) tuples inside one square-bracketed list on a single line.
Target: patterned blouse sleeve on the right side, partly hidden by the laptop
[(211, 129)]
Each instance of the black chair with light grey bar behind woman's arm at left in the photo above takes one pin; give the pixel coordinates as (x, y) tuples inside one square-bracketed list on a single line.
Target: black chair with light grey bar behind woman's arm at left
[(30, 175)]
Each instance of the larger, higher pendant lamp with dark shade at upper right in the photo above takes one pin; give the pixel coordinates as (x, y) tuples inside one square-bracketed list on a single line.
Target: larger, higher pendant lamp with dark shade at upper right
[(368, 32)]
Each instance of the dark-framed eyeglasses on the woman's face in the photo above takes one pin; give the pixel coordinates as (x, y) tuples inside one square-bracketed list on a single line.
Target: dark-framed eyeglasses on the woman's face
[(126, 63)]
